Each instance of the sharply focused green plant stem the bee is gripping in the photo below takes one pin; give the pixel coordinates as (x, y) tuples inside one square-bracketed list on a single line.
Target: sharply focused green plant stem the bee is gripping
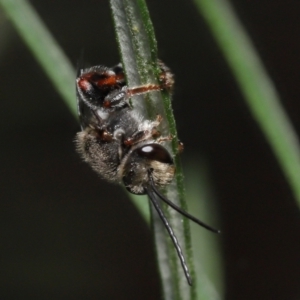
[(137, 44)]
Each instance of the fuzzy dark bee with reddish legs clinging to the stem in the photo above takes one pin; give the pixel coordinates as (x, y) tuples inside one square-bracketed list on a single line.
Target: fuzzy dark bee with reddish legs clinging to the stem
[(123, 146)]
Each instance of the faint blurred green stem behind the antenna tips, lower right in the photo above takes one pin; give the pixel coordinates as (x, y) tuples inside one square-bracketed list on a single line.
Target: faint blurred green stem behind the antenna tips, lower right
[(206, 246)]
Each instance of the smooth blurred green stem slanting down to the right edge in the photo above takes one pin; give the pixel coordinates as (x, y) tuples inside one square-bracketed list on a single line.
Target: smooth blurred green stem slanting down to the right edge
[(256, 86)]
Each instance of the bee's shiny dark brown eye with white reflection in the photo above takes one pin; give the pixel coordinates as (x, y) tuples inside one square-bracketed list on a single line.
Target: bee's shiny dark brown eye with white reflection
[(155, 152)]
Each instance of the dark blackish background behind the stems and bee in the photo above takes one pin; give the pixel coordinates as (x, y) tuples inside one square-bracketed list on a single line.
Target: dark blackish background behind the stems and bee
[(66, 234)]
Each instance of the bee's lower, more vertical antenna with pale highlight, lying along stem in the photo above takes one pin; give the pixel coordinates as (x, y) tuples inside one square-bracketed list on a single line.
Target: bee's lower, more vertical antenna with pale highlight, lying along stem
[(152, 197)]
